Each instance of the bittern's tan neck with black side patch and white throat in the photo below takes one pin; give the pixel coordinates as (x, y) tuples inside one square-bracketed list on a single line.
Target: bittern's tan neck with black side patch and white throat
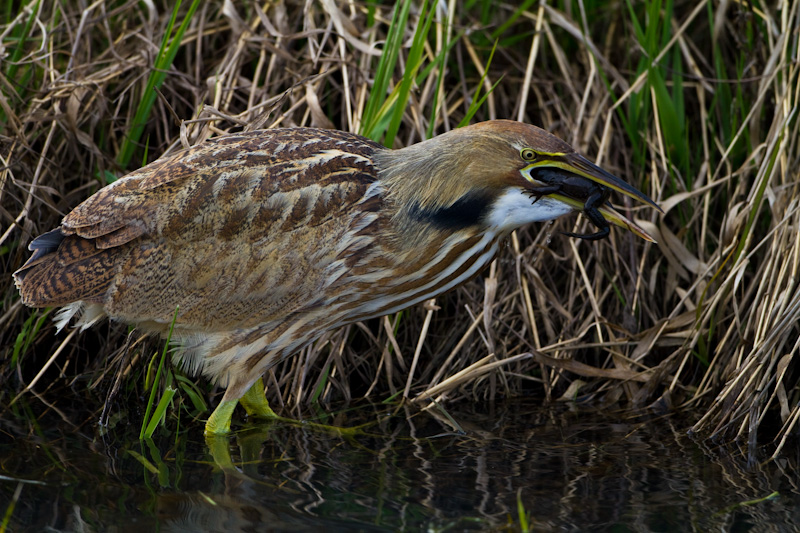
[(454, 183)]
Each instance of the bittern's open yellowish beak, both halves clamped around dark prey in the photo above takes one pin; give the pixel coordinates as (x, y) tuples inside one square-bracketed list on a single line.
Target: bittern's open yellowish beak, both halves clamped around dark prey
[(578, 165)]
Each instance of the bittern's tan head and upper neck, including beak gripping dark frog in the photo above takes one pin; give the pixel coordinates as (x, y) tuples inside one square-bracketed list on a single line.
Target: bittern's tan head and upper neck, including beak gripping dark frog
[(503, 174)]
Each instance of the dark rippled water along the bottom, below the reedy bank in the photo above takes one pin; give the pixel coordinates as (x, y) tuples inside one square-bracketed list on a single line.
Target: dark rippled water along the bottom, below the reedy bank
[(408, 470)]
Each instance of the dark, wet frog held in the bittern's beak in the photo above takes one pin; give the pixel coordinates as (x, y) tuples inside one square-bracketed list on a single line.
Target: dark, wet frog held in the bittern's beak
[(579, 188)]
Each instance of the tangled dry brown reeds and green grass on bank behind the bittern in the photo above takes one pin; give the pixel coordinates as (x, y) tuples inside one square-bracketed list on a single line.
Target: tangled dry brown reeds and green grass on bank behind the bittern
[(694, 103)]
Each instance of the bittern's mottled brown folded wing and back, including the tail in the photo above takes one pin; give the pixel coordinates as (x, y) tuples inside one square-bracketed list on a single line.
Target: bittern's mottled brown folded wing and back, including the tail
[(239, 225)]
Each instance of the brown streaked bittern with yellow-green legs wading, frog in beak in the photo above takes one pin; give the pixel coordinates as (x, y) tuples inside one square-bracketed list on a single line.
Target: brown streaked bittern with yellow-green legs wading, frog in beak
[(252, 245)]
